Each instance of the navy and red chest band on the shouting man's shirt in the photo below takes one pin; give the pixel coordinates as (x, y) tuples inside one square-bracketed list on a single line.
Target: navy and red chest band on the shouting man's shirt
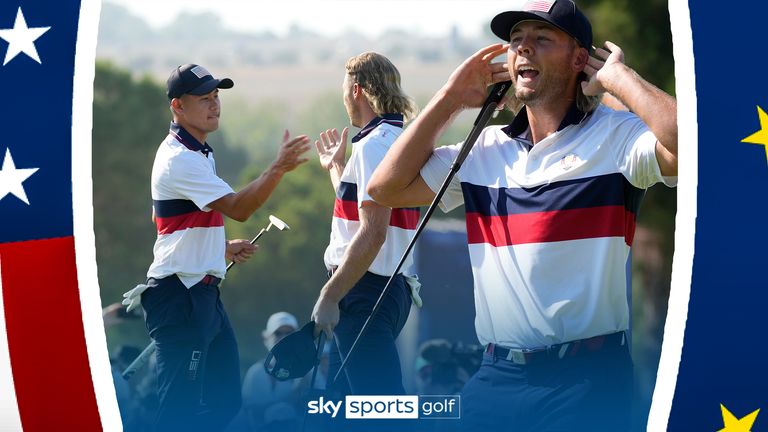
[(592, 207)]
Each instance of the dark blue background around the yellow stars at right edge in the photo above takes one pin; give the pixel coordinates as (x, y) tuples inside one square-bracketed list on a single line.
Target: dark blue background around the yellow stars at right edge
[(724, 354)]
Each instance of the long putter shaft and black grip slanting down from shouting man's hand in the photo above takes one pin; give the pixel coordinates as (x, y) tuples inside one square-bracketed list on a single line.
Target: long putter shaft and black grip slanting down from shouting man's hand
[(489, 106)]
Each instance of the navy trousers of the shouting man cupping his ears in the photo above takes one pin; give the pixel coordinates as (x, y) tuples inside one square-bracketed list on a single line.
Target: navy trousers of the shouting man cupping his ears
[(590, 392)]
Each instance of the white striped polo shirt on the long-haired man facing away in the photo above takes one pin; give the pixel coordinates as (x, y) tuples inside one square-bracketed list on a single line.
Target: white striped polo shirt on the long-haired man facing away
[(369, 148)]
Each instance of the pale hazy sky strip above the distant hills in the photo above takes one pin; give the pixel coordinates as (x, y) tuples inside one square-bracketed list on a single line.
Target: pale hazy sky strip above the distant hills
[(330, 17)]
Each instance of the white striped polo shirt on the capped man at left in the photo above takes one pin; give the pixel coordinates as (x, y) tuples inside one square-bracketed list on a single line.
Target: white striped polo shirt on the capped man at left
[(190, 236)]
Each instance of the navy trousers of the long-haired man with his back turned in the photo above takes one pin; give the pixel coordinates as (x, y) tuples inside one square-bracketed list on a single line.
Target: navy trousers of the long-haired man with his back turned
[(374, 366)]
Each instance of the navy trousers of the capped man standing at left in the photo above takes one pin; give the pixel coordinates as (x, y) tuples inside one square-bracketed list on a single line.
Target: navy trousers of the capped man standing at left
[(198, 364)]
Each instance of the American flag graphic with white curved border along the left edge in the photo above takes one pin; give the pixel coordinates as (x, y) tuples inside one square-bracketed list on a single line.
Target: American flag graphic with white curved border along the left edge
[(54, 367)]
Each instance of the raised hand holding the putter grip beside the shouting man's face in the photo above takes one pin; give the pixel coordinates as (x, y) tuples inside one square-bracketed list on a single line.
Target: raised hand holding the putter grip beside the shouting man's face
[(468, 84)]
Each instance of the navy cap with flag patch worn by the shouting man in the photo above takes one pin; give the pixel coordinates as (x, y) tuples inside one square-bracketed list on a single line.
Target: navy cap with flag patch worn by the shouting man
[(562, 14)]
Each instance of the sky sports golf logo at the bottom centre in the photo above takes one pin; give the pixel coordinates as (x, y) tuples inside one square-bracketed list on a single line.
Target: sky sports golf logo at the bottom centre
[(389, 407)]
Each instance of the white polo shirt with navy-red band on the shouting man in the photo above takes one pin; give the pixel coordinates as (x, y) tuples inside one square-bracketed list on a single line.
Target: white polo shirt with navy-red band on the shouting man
[(550, 228)]
